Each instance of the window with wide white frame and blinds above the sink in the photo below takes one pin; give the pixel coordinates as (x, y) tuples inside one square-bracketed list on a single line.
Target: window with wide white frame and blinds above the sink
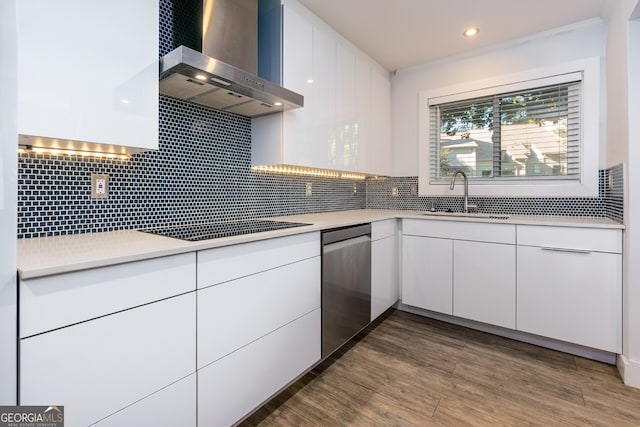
[(531, 134)]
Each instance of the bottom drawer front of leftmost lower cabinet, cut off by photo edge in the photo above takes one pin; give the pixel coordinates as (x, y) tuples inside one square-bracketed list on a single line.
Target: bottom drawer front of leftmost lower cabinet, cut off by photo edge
[(174, 405)]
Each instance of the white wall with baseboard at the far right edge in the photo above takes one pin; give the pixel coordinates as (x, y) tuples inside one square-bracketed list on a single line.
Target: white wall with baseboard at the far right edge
[(623, 116)]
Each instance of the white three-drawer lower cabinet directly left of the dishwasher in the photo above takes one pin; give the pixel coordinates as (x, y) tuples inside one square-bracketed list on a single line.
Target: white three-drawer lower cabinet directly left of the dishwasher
[(256, 332)]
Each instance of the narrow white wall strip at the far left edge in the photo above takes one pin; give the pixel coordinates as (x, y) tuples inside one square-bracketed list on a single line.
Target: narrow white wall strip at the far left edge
[(8, 186)]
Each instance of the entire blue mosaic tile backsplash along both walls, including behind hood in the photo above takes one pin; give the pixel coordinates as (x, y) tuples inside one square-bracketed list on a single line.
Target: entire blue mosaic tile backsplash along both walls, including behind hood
[(201, 173)]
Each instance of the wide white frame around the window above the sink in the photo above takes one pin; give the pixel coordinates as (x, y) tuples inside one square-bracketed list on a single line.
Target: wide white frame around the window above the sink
[(588, 71)]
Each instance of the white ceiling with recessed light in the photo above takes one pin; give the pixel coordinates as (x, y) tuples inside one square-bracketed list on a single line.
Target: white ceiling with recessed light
[(403, 33)]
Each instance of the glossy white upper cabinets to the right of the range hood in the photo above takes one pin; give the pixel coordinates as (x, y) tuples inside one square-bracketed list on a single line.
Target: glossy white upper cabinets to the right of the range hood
[(345, 122)]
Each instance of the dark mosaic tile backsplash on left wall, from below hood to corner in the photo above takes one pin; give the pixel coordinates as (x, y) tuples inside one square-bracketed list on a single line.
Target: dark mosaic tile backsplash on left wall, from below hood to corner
[(201, 173)]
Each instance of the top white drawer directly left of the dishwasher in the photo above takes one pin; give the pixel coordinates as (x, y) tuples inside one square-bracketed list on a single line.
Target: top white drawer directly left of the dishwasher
[(223, 264)]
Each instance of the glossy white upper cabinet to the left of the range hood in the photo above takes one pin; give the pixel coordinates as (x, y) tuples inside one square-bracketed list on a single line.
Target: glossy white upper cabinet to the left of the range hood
[(88, 74)]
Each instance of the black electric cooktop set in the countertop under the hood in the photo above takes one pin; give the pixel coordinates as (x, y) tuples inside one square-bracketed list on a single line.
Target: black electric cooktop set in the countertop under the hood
[(216, 230)]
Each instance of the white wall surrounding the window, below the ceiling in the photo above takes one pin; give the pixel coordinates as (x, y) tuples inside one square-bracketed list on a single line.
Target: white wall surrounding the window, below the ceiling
[(583, 40)]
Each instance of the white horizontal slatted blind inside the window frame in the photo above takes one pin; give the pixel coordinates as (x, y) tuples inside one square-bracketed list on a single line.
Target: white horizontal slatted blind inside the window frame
[(523, 134)]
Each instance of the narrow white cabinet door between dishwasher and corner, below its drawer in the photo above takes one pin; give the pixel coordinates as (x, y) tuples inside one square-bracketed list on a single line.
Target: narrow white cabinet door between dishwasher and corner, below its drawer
[(384, 275)]
